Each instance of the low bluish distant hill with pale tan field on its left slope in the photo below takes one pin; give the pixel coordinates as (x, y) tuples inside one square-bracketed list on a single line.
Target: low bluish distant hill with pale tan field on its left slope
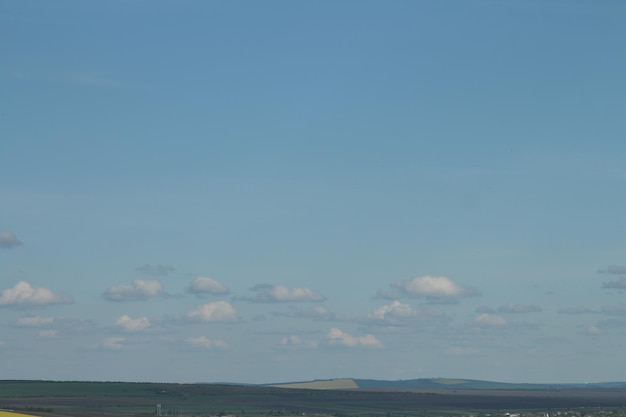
[(443, 384)]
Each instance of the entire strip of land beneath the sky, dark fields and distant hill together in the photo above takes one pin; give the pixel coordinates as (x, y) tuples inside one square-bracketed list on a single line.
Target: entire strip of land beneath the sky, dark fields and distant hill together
[(337, 397)]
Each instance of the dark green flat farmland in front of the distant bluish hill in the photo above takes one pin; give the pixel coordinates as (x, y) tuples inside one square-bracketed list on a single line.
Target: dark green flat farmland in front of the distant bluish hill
[(109, 399)]
